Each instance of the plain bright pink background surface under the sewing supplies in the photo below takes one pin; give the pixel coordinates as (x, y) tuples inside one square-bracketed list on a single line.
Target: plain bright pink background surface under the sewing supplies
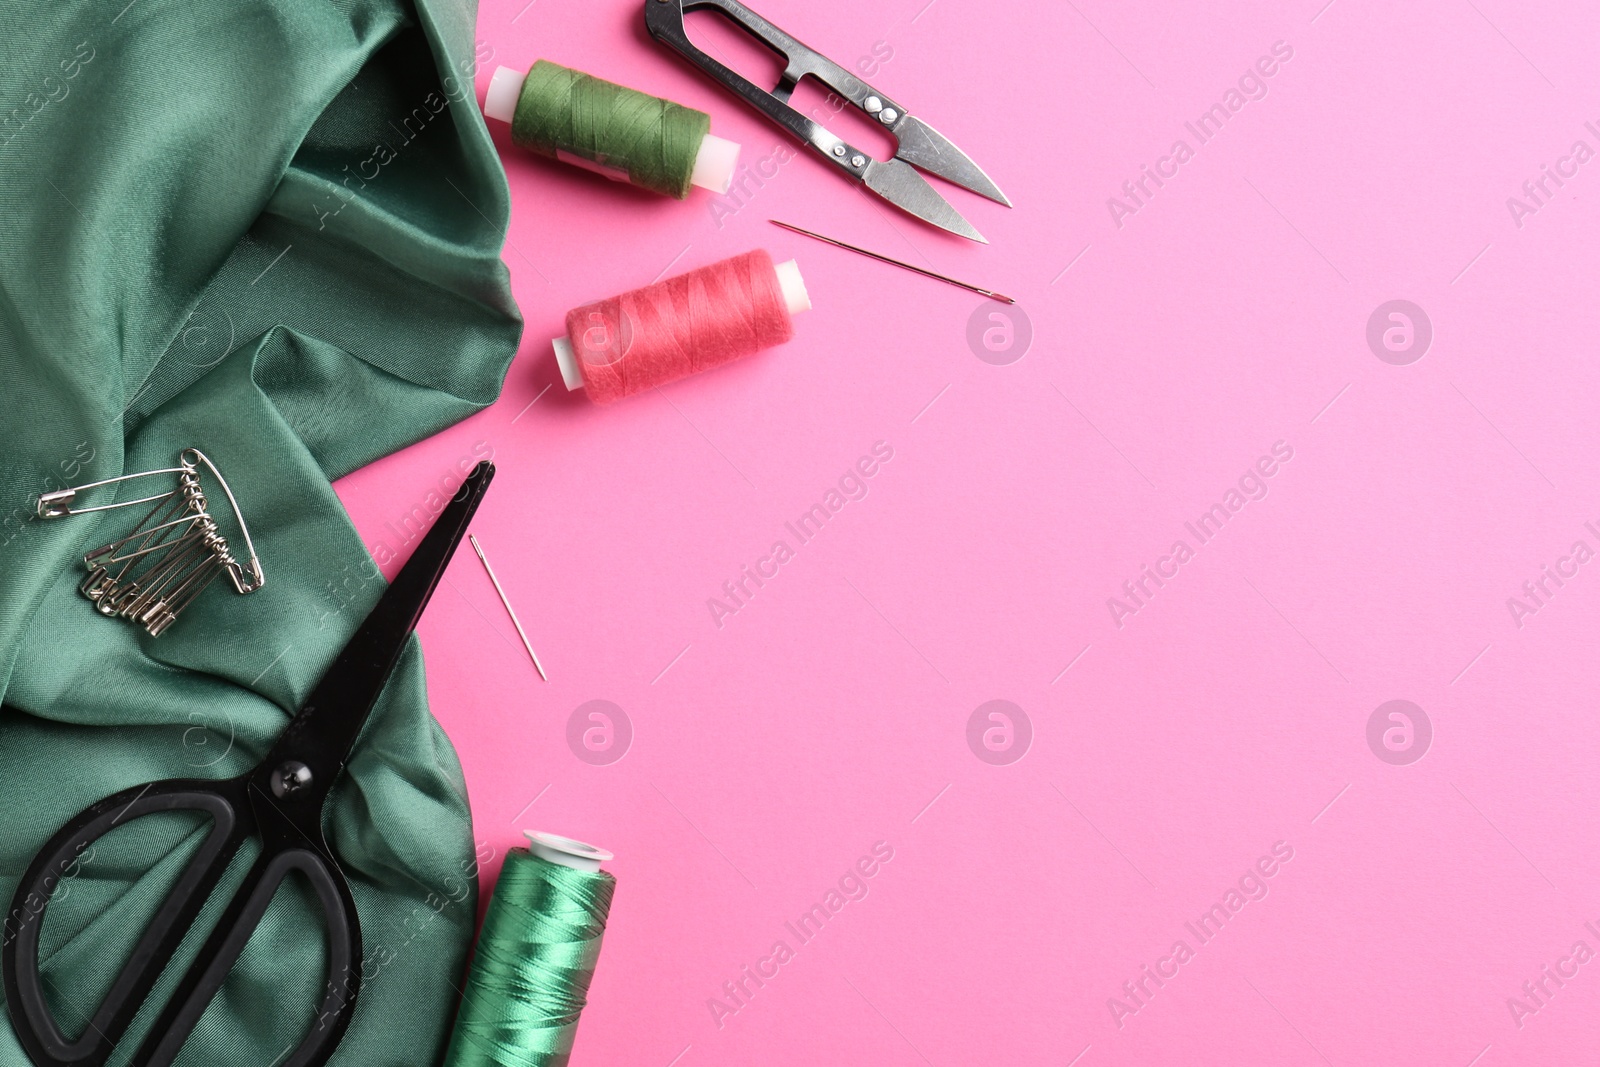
[(1169, 354)]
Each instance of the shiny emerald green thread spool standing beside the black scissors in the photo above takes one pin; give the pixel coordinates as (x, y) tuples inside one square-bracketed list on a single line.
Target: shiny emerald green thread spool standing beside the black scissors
[(535, 957)]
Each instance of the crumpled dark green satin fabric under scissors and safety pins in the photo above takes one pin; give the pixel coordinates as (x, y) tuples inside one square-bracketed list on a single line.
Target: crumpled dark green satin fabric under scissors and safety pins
[(271, 231)]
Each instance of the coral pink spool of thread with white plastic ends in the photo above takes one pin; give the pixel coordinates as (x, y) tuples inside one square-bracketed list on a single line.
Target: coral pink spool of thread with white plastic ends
[(681, 327)]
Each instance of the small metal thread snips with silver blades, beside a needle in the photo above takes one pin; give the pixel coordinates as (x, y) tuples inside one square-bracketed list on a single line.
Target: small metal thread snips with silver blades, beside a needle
[(916, 143)]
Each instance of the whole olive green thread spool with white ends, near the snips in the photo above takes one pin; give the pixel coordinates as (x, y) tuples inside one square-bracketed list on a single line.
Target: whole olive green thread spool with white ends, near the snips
[(612, 130)]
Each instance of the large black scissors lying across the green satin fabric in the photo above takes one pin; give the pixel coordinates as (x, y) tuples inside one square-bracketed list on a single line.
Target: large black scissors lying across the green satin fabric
[(281, 802)]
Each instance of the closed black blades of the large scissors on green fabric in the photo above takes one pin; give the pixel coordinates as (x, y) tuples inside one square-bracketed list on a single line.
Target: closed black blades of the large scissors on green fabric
[(322, 733)]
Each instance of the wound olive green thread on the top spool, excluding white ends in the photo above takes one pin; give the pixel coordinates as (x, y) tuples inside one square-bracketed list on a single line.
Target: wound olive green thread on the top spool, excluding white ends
[(654, 142)]
